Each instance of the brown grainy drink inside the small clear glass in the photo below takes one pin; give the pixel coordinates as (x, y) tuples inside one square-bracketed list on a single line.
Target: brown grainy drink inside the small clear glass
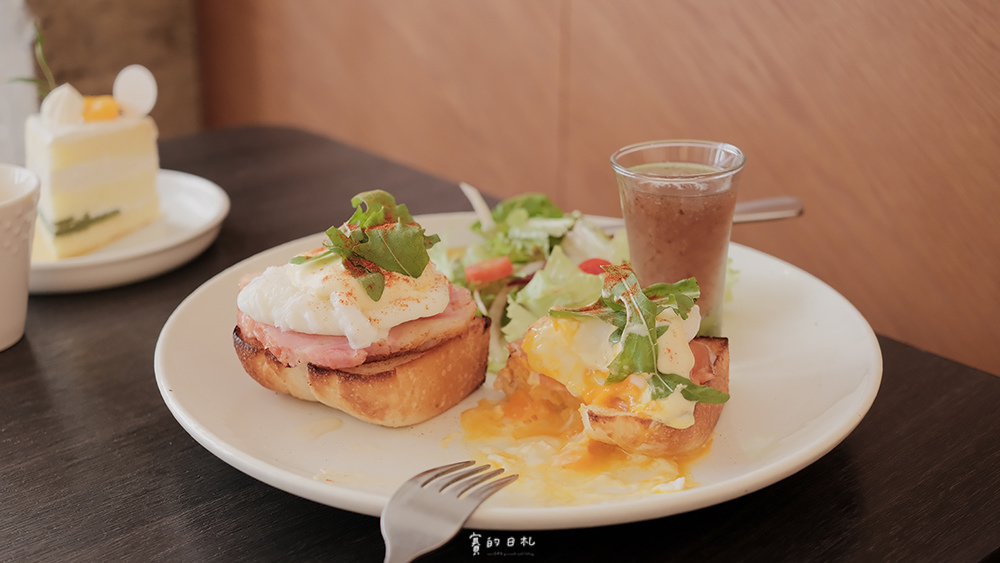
[(678, 232)]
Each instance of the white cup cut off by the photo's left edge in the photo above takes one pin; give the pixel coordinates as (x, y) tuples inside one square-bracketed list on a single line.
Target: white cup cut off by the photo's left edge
[(18, 205)]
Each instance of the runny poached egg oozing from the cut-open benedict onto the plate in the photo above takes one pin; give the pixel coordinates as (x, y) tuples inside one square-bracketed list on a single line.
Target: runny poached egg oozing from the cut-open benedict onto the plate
[(536, 429)]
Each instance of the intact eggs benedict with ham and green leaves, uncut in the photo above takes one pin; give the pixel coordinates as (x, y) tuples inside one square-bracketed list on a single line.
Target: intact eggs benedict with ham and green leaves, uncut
[(366, 323)]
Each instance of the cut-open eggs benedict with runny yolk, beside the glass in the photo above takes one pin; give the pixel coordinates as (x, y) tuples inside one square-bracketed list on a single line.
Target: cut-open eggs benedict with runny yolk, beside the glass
[(626, 371)]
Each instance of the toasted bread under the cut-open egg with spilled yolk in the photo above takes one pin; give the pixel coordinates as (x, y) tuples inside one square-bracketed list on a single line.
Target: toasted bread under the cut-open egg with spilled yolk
[(626, 430)]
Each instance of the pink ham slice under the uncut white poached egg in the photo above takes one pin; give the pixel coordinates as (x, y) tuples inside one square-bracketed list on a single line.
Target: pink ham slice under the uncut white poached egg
[(335, 352)]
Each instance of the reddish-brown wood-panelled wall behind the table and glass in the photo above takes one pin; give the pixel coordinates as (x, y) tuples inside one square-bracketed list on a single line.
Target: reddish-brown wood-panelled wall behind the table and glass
[(883, 116)]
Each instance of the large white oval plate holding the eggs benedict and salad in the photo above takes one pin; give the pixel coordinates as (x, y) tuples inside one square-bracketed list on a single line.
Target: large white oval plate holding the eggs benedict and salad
[(805, 369)]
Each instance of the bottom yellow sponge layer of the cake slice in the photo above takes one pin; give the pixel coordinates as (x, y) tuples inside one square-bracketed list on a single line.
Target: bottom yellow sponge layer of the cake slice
[(98, 234)]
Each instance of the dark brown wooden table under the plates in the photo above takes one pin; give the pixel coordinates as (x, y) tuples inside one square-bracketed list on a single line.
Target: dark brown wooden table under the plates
[(93, 466)]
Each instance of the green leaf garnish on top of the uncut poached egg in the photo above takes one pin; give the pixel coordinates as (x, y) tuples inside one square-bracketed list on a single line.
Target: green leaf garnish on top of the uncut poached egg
[(379, 236)]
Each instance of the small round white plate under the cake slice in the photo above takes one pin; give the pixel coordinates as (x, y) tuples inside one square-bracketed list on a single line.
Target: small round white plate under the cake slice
[(192, 211)]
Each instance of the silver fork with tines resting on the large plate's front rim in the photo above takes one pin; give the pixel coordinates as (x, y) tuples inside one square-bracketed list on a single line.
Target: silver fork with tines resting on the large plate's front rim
[(430, 508)]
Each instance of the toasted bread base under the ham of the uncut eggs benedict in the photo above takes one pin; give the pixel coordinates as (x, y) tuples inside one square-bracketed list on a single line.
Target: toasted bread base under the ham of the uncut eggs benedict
[(397, 391)]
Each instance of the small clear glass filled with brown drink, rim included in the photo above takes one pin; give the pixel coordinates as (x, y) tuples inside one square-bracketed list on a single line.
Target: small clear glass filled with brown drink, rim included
[(678, 198)]
